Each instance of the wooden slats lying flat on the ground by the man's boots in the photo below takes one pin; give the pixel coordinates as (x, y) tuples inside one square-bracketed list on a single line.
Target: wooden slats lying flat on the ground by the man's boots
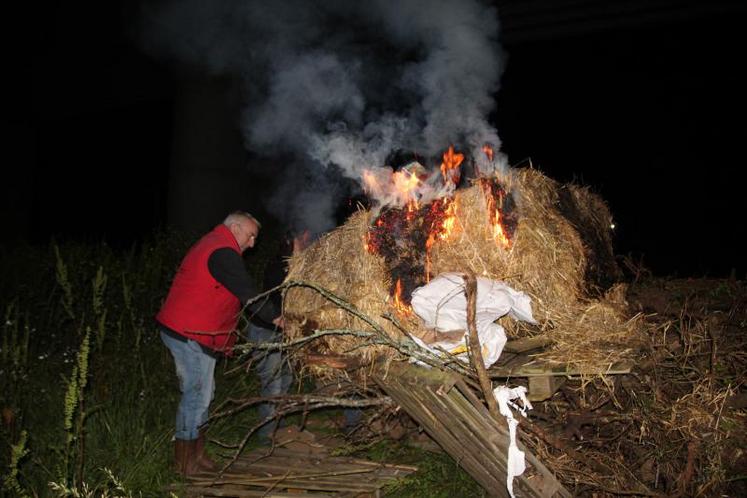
[(283, 472)]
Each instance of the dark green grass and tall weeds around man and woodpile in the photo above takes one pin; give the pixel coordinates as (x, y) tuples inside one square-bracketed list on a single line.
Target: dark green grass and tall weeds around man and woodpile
[(89, 393)]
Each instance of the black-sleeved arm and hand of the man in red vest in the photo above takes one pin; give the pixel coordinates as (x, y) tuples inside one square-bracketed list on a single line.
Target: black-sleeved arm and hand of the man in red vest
[(227, 267)]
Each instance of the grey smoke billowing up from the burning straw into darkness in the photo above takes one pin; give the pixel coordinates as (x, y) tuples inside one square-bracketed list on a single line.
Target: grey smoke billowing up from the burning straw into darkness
[(343, 84)]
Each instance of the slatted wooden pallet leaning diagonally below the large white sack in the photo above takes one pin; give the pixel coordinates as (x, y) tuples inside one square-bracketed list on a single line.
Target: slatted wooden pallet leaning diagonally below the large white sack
[(455, 418)]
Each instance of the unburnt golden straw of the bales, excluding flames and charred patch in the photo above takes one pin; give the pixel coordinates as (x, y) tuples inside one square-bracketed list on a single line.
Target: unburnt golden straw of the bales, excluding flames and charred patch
[(548, 259)]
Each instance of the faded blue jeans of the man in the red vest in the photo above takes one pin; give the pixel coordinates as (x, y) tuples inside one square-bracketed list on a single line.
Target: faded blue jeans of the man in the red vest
[(195, 370)]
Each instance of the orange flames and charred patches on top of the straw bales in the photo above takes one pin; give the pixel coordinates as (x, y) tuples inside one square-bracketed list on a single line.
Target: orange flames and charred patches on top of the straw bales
[(416, 209)]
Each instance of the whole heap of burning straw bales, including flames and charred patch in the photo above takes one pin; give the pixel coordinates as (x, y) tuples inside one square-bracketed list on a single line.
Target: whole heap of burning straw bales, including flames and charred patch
[(548, 240)]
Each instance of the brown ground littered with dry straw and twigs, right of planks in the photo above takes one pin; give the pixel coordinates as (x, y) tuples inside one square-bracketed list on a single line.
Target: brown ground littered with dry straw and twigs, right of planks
[(675, 426)]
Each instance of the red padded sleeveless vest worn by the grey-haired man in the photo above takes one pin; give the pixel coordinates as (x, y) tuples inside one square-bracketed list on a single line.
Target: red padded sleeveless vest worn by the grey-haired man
[(198, 306)]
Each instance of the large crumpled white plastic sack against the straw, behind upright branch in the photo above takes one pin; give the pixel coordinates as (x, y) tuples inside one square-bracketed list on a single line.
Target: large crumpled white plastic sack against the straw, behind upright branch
[(442, 304)]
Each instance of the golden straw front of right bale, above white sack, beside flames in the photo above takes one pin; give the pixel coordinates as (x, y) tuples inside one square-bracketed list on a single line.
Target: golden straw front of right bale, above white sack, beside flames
[(546, 257)]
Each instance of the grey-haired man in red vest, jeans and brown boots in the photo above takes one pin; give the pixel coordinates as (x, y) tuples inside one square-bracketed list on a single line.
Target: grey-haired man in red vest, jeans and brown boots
[(198, 322)]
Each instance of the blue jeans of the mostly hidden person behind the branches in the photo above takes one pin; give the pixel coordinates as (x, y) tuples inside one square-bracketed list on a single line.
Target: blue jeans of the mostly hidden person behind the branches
[(274, 376)]
